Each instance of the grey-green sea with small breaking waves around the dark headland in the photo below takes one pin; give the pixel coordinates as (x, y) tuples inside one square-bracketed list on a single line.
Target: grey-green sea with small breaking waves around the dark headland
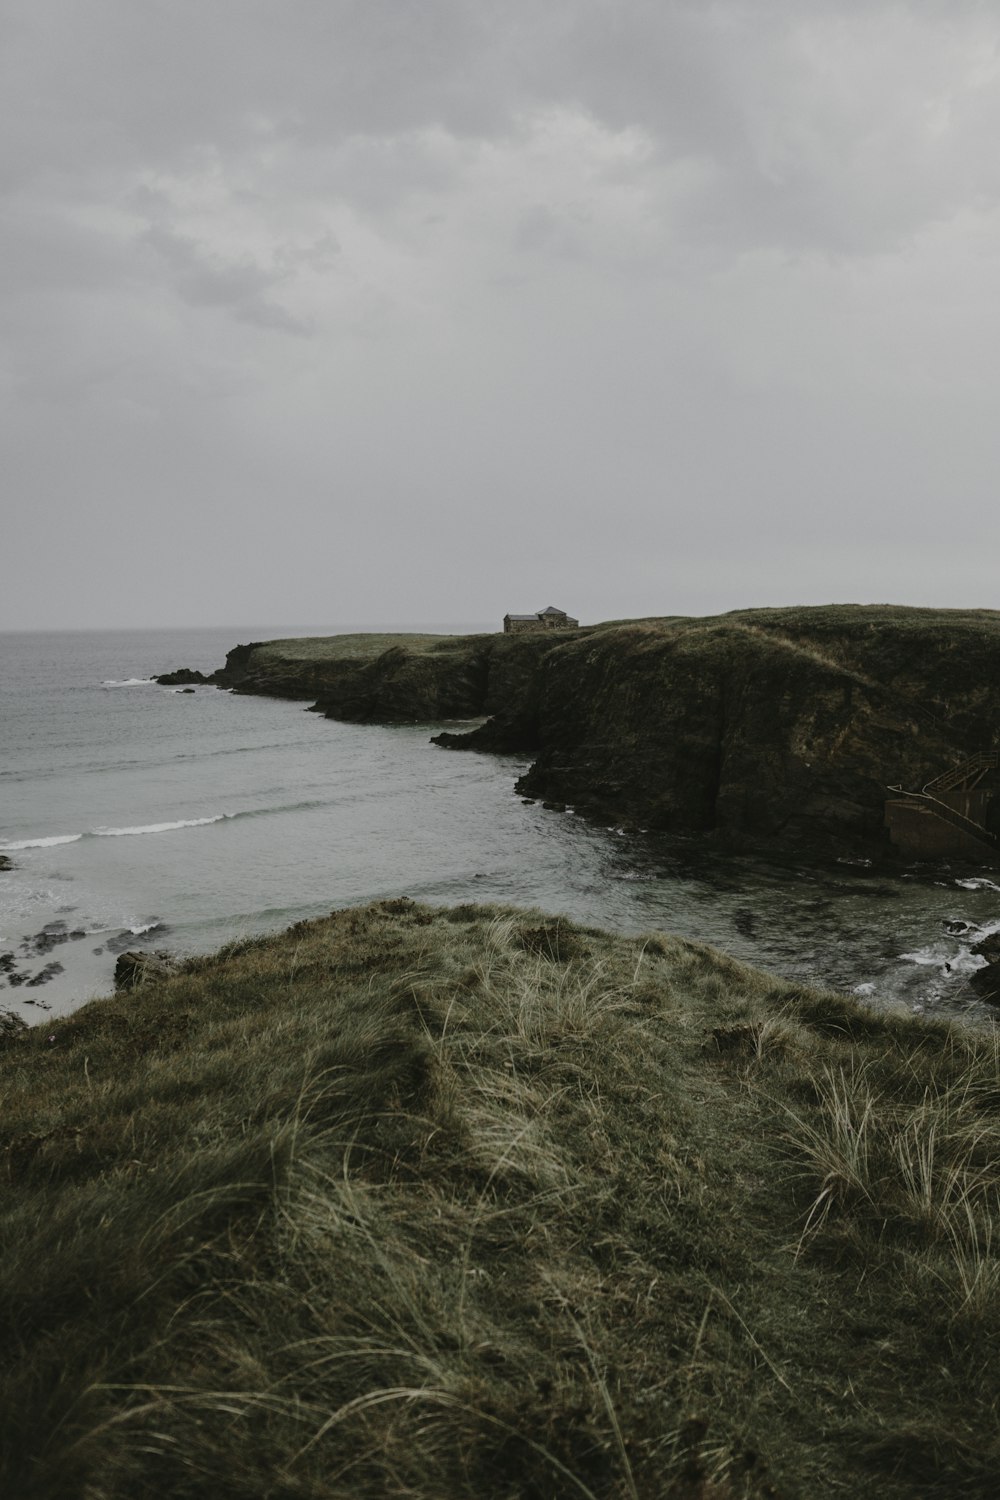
[(145, 817)]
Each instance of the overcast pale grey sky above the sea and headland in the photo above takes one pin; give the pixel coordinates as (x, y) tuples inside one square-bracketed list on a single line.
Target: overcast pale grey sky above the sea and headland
[(325, 311)]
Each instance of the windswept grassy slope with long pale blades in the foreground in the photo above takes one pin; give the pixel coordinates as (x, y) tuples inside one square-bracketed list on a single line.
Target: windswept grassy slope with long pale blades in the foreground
[(481, 1204)]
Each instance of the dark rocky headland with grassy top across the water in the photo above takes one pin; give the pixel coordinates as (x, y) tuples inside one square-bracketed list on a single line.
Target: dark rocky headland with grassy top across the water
[(768, 728)]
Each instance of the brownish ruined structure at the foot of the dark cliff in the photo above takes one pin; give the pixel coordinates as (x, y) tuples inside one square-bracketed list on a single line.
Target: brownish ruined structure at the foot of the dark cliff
[(957, 815)]
